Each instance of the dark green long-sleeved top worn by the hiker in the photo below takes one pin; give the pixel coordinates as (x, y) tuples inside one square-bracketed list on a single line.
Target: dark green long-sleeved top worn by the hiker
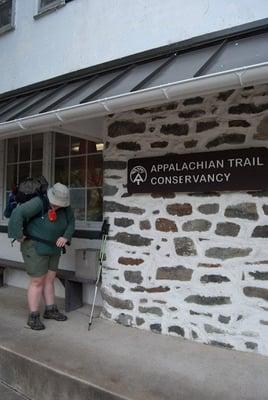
[(30, 219)]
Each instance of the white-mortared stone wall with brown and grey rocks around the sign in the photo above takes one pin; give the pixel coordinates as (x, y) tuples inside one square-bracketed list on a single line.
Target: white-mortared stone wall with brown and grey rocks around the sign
[(185, 264)]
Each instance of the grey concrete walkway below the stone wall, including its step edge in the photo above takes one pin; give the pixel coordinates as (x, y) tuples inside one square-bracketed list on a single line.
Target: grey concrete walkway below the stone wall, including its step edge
[(65, 361)]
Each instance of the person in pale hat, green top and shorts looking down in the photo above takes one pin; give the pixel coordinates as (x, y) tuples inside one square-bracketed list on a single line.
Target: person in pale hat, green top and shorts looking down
[(50, 219)]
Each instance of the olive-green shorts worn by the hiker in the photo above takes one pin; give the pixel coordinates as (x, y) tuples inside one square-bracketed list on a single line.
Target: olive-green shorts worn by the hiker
[(37, 265)]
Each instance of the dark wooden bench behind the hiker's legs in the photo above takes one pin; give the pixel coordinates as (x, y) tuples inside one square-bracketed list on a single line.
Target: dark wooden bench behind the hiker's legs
[(73, 284)]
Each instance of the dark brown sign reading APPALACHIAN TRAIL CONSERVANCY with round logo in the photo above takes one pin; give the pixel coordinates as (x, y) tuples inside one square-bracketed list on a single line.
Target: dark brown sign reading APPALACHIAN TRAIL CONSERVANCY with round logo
[(240, 169)]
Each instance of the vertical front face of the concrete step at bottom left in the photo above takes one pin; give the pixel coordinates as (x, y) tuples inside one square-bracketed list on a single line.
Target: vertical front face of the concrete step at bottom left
[(41, 382)]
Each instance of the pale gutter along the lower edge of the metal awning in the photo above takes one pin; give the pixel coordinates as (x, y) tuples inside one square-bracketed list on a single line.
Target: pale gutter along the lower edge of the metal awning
[(204, 85)]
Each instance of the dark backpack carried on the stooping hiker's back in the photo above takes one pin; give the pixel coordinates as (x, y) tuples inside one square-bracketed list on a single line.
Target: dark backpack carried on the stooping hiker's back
[(25, 191)]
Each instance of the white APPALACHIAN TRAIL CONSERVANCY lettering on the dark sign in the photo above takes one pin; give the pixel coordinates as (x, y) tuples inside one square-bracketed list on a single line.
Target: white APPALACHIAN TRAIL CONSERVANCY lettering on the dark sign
[(199, 171)]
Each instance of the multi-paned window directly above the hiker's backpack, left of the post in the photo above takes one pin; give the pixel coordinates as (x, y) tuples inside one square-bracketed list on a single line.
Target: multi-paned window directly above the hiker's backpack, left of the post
[(24, 157)]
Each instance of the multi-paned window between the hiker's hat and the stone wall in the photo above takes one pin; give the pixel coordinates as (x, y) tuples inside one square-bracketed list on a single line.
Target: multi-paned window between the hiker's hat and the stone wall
[(78, 164)]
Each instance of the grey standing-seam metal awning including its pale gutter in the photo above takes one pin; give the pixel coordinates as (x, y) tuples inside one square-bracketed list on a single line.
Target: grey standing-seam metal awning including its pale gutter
[(231, 62)]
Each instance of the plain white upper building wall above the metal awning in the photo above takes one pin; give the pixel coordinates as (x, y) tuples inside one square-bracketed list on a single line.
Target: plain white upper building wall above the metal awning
[(89, 32)]
